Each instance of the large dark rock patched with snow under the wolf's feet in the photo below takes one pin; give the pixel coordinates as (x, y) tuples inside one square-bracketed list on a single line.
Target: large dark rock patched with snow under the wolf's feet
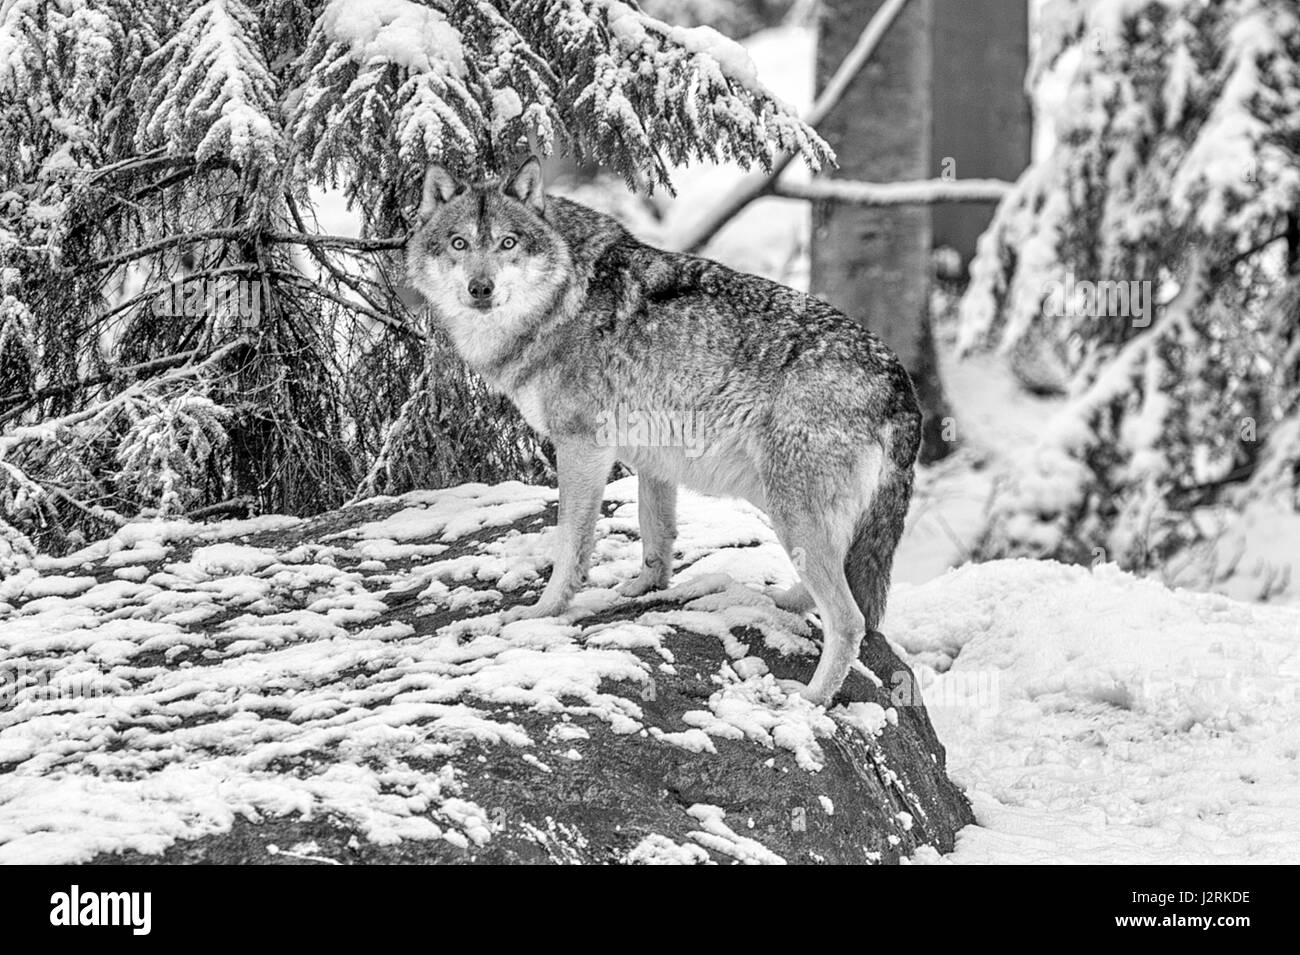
[(343, 691)]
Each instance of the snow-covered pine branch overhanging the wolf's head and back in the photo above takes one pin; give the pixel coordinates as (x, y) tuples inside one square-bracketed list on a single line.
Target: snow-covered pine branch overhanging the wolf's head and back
[(483, 83)]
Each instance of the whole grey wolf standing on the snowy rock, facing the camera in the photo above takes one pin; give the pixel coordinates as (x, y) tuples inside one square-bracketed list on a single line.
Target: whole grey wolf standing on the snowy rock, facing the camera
[(808, 415)]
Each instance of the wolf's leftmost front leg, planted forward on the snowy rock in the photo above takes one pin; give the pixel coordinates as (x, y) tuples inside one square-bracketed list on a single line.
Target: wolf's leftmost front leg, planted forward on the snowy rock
[(584, 468)]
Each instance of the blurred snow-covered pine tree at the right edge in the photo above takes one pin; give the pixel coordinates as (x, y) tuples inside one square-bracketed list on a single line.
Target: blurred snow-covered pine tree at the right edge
[(1177, 164)]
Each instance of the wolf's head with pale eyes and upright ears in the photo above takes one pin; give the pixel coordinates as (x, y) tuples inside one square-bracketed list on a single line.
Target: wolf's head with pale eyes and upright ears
[(484, 255)]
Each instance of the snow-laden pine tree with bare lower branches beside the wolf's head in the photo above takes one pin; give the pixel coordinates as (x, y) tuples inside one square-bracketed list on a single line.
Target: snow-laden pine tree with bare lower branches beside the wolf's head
[(176, 332)]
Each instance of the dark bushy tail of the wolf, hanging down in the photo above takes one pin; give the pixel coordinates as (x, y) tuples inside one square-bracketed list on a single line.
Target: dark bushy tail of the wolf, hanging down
[(869, 562)]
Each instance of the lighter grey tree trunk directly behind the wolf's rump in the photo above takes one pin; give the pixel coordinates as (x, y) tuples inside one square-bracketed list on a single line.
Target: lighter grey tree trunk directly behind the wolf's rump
[(876, 263)]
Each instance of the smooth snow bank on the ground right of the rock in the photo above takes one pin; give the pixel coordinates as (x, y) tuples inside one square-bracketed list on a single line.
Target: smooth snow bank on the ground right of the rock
[(1129, 723)]
